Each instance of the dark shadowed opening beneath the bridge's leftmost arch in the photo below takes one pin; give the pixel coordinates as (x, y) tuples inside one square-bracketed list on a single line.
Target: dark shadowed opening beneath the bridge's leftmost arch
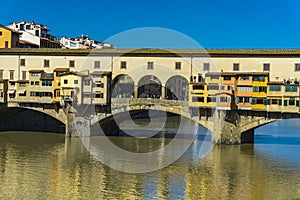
[(22, 119)]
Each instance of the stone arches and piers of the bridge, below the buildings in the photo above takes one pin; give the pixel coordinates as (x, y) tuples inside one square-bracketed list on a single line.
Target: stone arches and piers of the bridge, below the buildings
[(227, 126)]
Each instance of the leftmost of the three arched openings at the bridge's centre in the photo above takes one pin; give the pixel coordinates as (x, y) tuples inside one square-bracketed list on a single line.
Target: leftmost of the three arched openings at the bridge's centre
[(122, 86)]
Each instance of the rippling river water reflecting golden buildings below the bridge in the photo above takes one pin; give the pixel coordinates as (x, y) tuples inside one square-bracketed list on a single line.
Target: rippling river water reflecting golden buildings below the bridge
[(45, 166)]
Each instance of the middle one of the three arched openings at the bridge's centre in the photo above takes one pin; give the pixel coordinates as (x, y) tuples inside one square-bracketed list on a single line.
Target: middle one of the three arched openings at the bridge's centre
[(149, 87)]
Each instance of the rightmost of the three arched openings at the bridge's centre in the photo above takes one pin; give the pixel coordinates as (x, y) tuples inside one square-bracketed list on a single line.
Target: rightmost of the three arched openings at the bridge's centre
[(177, 88)]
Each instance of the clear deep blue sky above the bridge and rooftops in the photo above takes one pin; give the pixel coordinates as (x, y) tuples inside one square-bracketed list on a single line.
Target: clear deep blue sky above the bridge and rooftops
[(212, 23)]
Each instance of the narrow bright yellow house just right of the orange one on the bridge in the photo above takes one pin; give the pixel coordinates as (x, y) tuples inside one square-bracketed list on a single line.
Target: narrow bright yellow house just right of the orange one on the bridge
[(259, 90)]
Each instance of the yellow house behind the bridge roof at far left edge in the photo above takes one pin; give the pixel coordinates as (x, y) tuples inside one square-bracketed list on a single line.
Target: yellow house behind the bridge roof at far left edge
[(9, 38)]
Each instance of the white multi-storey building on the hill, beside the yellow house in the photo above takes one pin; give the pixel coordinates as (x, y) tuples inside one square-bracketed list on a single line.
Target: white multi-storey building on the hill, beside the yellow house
[(34, 35)]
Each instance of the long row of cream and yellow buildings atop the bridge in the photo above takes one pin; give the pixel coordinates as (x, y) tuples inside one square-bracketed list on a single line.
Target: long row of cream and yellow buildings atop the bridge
[(263, 80)]
